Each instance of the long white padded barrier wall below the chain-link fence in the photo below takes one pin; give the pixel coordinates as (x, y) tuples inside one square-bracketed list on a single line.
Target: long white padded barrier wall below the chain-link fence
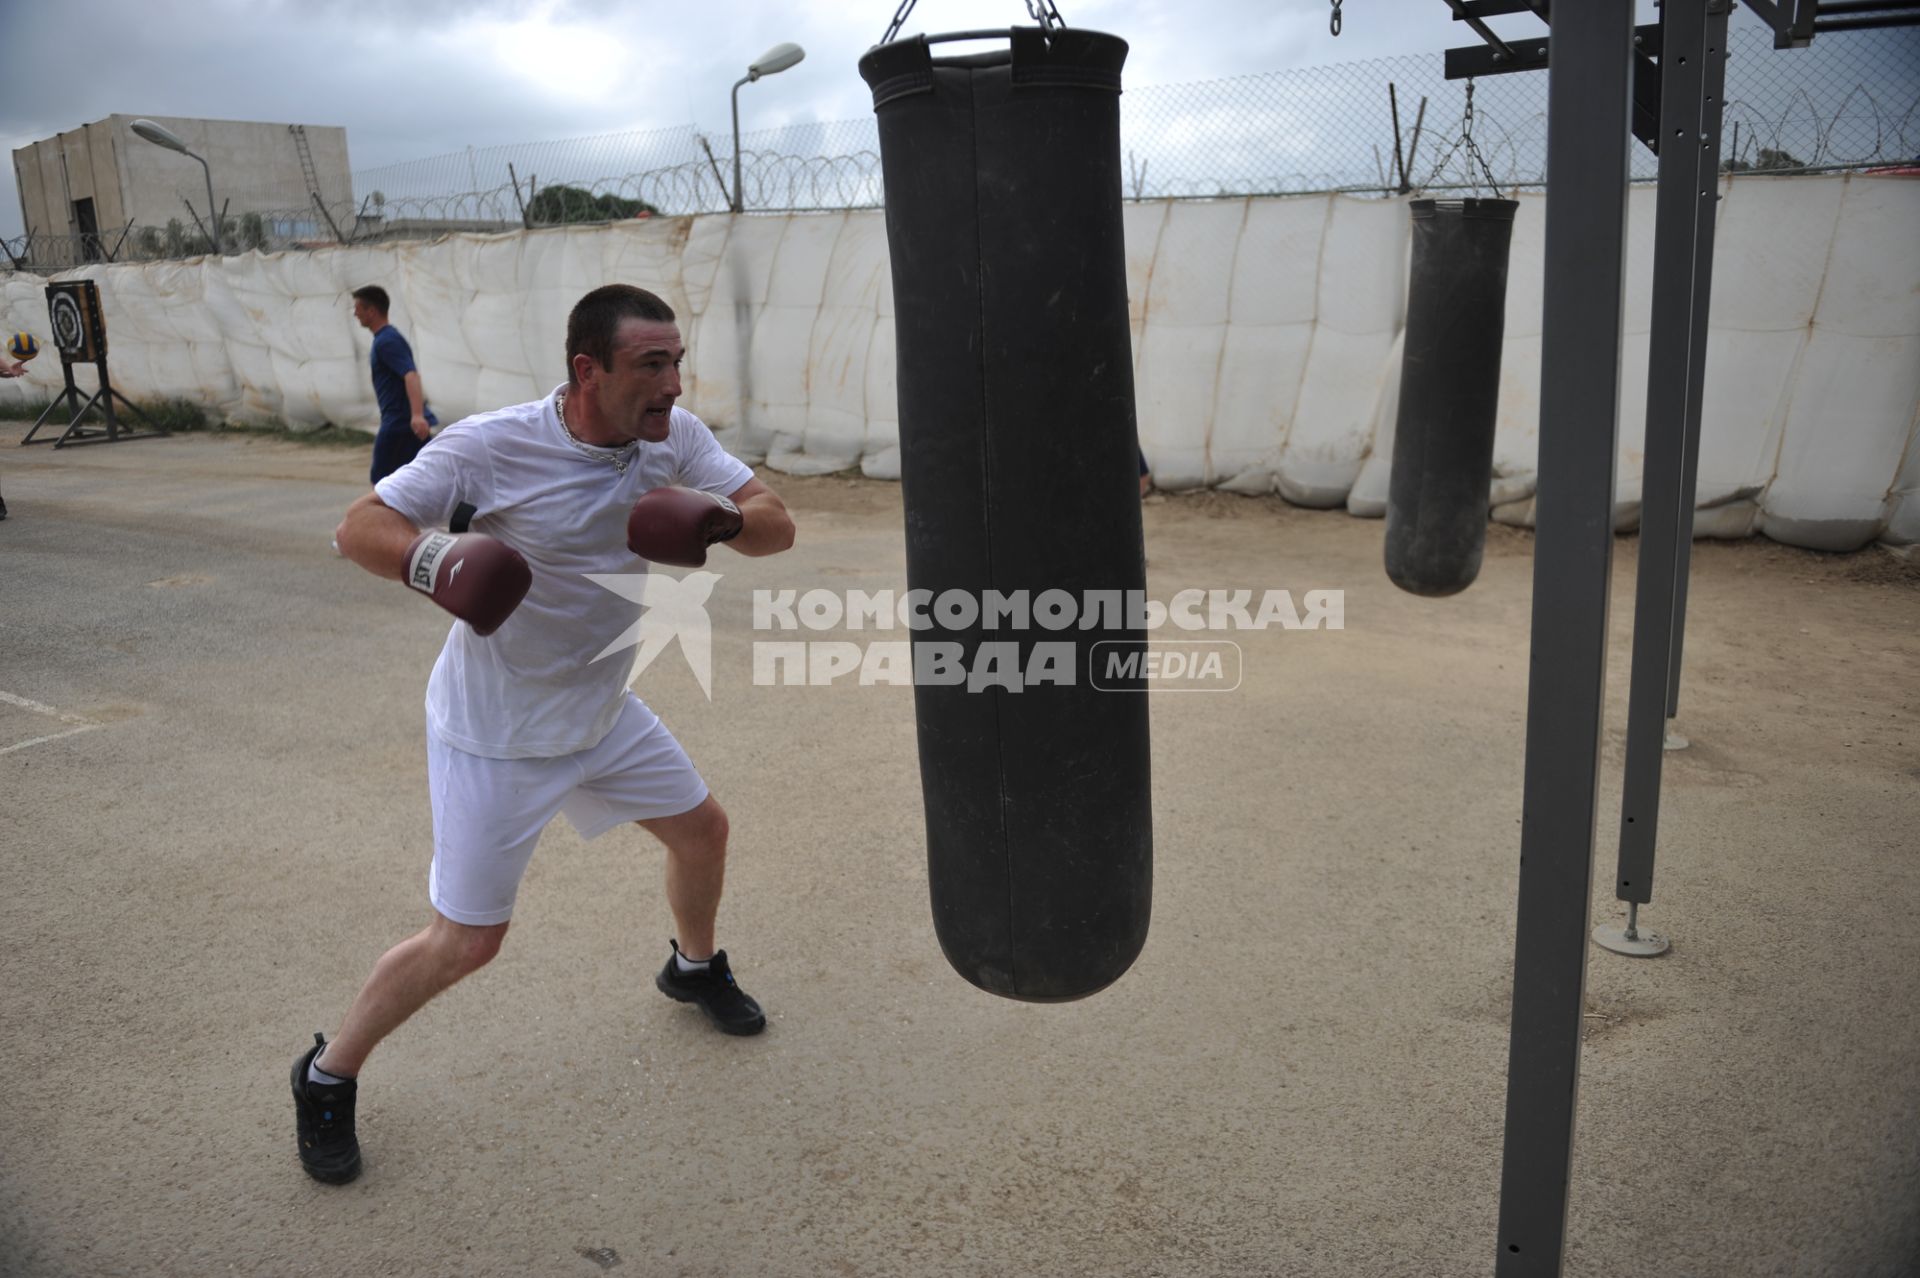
[(1266, 343)]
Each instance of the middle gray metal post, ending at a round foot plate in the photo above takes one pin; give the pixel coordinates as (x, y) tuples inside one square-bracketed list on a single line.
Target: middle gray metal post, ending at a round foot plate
[(1683, 275)]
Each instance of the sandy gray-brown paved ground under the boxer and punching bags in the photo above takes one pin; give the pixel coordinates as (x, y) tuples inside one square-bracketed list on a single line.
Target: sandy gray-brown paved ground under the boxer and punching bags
[(1303, 1076)]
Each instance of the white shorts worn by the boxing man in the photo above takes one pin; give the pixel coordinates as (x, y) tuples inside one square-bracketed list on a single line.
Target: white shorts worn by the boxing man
[(489, 813)]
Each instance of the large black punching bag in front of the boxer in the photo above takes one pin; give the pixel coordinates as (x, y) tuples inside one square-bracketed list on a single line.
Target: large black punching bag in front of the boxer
[(1019, 473)]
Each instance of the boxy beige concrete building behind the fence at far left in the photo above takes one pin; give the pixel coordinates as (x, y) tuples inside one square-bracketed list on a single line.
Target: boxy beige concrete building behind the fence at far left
[(93, 181)]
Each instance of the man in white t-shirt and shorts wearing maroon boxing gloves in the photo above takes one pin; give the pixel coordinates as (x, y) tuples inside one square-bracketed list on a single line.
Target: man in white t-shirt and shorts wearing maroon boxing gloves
[(525, 717)]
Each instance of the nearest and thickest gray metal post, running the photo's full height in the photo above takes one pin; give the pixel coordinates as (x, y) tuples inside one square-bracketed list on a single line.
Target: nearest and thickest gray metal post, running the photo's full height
[(1589, 101)]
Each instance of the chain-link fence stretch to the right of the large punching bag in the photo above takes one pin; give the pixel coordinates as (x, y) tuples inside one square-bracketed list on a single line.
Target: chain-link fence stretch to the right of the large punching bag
[(1850, 101)]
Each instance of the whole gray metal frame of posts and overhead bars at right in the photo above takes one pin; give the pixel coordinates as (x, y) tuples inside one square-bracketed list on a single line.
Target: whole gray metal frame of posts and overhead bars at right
[(1669, 82)]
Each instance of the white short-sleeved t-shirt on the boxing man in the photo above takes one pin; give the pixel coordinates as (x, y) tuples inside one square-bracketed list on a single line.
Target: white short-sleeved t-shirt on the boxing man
[(533, 688)]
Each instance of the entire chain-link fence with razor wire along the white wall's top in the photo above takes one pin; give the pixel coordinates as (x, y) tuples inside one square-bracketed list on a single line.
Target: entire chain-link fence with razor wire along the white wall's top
[(1850, 101)]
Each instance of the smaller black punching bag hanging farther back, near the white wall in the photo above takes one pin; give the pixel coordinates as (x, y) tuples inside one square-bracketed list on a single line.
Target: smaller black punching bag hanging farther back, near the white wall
[(1437, 494)]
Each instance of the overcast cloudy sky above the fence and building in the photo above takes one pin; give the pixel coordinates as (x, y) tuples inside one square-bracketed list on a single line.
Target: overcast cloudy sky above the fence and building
[(423, 78)]
